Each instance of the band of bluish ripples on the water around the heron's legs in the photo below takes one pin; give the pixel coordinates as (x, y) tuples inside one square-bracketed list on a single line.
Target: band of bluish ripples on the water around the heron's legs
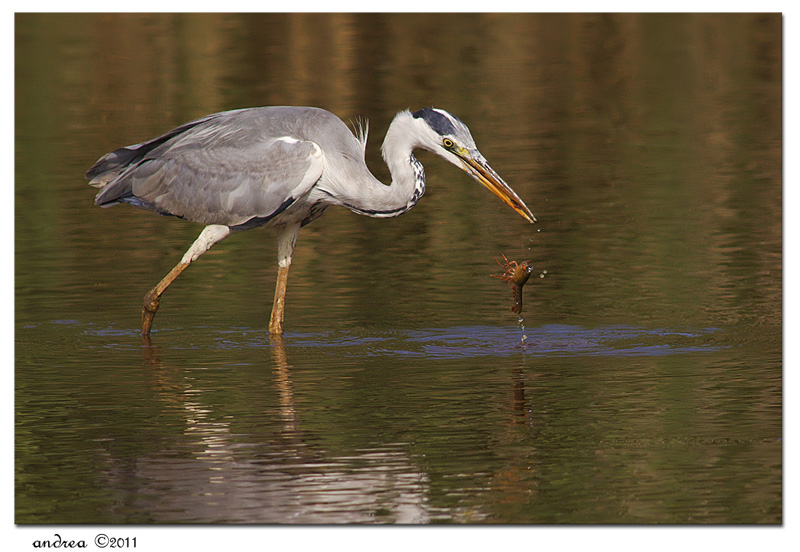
[(553, 340)]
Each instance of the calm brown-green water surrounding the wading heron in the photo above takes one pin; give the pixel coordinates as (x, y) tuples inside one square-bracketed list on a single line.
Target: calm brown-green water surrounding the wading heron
[(643, 384)]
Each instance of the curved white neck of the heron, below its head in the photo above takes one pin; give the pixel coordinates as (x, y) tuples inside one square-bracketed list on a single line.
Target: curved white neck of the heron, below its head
[(375, 199)]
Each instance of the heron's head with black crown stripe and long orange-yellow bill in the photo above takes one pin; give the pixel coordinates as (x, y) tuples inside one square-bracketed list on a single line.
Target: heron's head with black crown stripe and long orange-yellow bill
[(445, 135)]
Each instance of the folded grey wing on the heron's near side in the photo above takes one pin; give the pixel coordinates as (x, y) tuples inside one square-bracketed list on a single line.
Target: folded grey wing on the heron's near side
[(220, 175)]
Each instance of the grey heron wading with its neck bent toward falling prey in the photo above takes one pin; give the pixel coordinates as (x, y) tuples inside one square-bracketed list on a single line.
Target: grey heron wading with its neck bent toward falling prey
[(280, 167)]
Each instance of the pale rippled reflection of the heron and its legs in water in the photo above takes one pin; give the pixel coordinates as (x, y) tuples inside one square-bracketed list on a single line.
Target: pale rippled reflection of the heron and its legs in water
[(208, 472)]
